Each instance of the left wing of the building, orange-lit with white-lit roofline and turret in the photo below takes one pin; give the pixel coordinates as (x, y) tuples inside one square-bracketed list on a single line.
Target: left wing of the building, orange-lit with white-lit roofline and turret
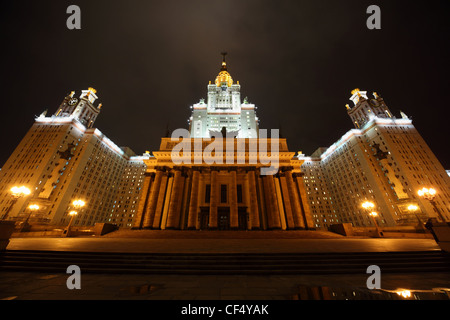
[(63, 158)]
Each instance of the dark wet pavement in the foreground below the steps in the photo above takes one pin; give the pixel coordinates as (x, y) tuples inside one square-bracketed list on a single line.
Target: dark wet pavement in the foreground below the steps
[(37, 286)]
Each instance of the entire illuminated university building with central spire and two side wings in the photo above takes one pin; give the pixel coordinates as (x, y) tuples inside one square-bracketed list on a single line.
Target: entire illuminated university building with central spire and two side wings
[(224, 172)]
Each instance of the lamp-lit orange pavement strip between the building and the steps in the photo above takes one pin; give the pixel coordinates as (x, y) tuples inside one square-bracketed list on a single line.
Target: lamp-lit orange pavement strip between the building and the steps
[(222, 245)]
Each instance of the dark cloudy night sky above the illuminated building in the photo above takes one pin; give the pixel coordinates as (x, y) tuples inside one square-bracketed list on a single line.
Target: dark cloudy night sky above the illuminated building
[(296, 60)]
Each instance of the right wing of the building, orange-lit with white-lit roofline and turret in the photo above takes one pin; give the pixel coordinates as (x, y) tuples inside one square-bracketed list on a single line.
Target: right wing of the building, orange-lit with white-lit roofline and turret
[(383, 160)]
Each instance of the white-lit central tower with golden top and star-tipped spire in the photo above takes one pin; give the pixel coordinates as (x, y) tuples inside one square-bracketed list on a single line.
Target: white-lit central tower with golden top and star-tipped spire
[(223, 109)]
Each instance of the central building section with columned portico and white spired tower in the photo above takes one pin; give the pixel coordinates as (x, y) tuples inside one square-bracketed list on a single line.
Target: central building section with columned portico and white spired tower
[(234, 193)]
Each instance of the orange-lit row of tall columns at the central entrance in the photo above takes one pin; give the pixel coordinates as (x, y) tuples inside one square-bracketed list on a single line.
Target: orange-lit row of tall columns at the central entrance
[(175, 198)]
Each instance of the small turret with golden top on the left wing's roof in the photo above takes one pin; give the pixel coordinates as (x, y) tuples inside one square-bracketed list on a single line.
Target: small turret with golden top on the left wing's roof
[(82, 108)]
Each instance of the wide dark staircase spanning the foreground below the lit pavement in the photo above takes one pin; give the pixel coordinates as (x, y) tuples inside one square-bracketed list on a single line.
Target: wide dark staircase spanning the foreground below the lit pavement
[(224, 264)]
